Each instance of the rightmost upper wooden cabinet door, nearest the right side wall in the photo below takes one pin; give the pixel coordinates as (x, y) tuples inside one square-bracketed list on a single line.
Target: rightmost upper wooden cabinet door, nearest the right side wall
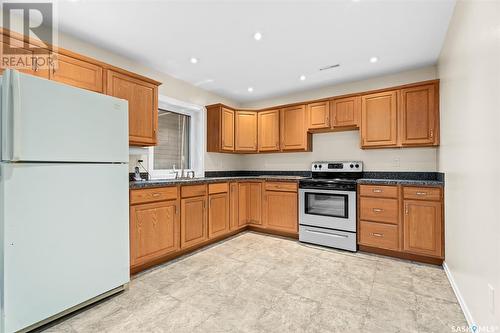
[(418, 115)]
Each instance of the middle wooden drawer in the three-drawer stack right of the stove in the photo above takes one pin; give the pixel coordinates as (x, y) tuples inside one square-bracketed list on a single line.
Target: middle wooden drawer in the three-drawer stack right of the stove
[(379, 209)]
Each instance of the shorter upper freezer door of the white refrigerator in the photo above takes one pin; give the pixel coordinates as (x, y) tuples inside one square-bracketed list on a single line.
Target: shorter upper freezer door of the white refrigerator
[(46, 121)]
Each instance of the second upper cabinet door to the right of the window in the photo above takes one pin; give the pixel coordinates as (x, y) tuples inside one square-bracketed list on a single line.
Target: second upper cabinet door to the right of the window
[(245, 131)]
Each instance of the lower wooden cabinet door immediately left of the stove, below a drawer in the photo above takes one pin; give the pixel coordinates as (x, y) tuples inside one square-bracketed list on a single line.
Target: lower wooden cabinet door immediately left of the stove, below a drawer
[(280, 211)]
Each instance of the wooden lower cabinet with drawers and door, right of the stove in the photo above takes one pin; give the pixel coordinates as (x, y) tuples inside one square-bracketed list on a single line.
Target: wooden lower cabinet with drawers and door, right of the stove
[(409, 225)]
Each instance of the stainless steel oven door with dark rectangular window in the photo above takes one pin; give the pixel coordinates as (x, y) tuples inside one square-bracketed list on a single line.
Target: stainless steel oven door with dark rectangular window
[(328, 209)]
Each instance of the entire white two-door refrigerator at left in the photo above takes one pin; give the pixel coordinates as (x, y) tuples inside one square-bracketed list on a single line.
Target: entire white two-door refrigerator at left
[(64, 228)]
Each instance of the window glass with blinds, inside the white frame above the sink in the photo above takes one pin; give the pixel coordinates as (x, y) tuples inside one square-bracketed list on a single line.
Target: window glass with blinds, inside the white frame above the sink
[(173, 148)]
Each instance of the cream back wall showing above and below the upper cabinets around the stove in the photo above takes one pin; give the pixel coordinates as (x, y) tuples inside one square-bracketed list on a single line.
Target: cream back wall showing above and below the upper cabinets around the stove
[(345, 145)]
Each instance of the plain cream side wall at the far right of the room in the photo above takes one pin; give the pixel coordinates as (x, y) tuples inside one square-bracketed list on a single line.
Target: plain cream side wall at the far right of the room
[(469, 68)]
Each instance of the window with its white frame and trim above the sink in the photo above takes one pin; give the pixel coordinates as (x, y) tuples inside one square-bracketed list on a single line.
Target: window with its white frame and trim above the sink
[(181, 132)]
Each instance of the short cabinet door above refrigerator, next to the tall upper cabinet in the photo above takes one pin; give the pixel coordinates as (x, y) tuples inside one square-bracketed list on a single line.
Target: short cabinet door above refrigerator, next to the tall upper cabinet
[(77, 73)]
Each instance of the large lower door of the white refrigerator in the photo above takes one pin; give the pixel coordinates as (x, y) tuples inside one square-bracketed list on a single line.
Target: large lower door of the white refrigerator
[(65, 237)]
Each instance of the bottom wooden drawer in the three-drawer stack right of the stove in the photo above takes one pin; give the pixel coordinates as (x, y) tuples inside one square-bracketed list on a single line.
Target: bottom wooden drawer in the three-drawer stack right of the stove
[(378, 235)]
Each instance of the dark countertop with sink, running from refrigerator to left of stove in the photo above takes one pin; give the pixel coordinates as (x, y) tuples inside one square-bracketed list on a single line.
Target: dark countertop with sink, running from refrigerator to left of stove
[(207, 180)]
